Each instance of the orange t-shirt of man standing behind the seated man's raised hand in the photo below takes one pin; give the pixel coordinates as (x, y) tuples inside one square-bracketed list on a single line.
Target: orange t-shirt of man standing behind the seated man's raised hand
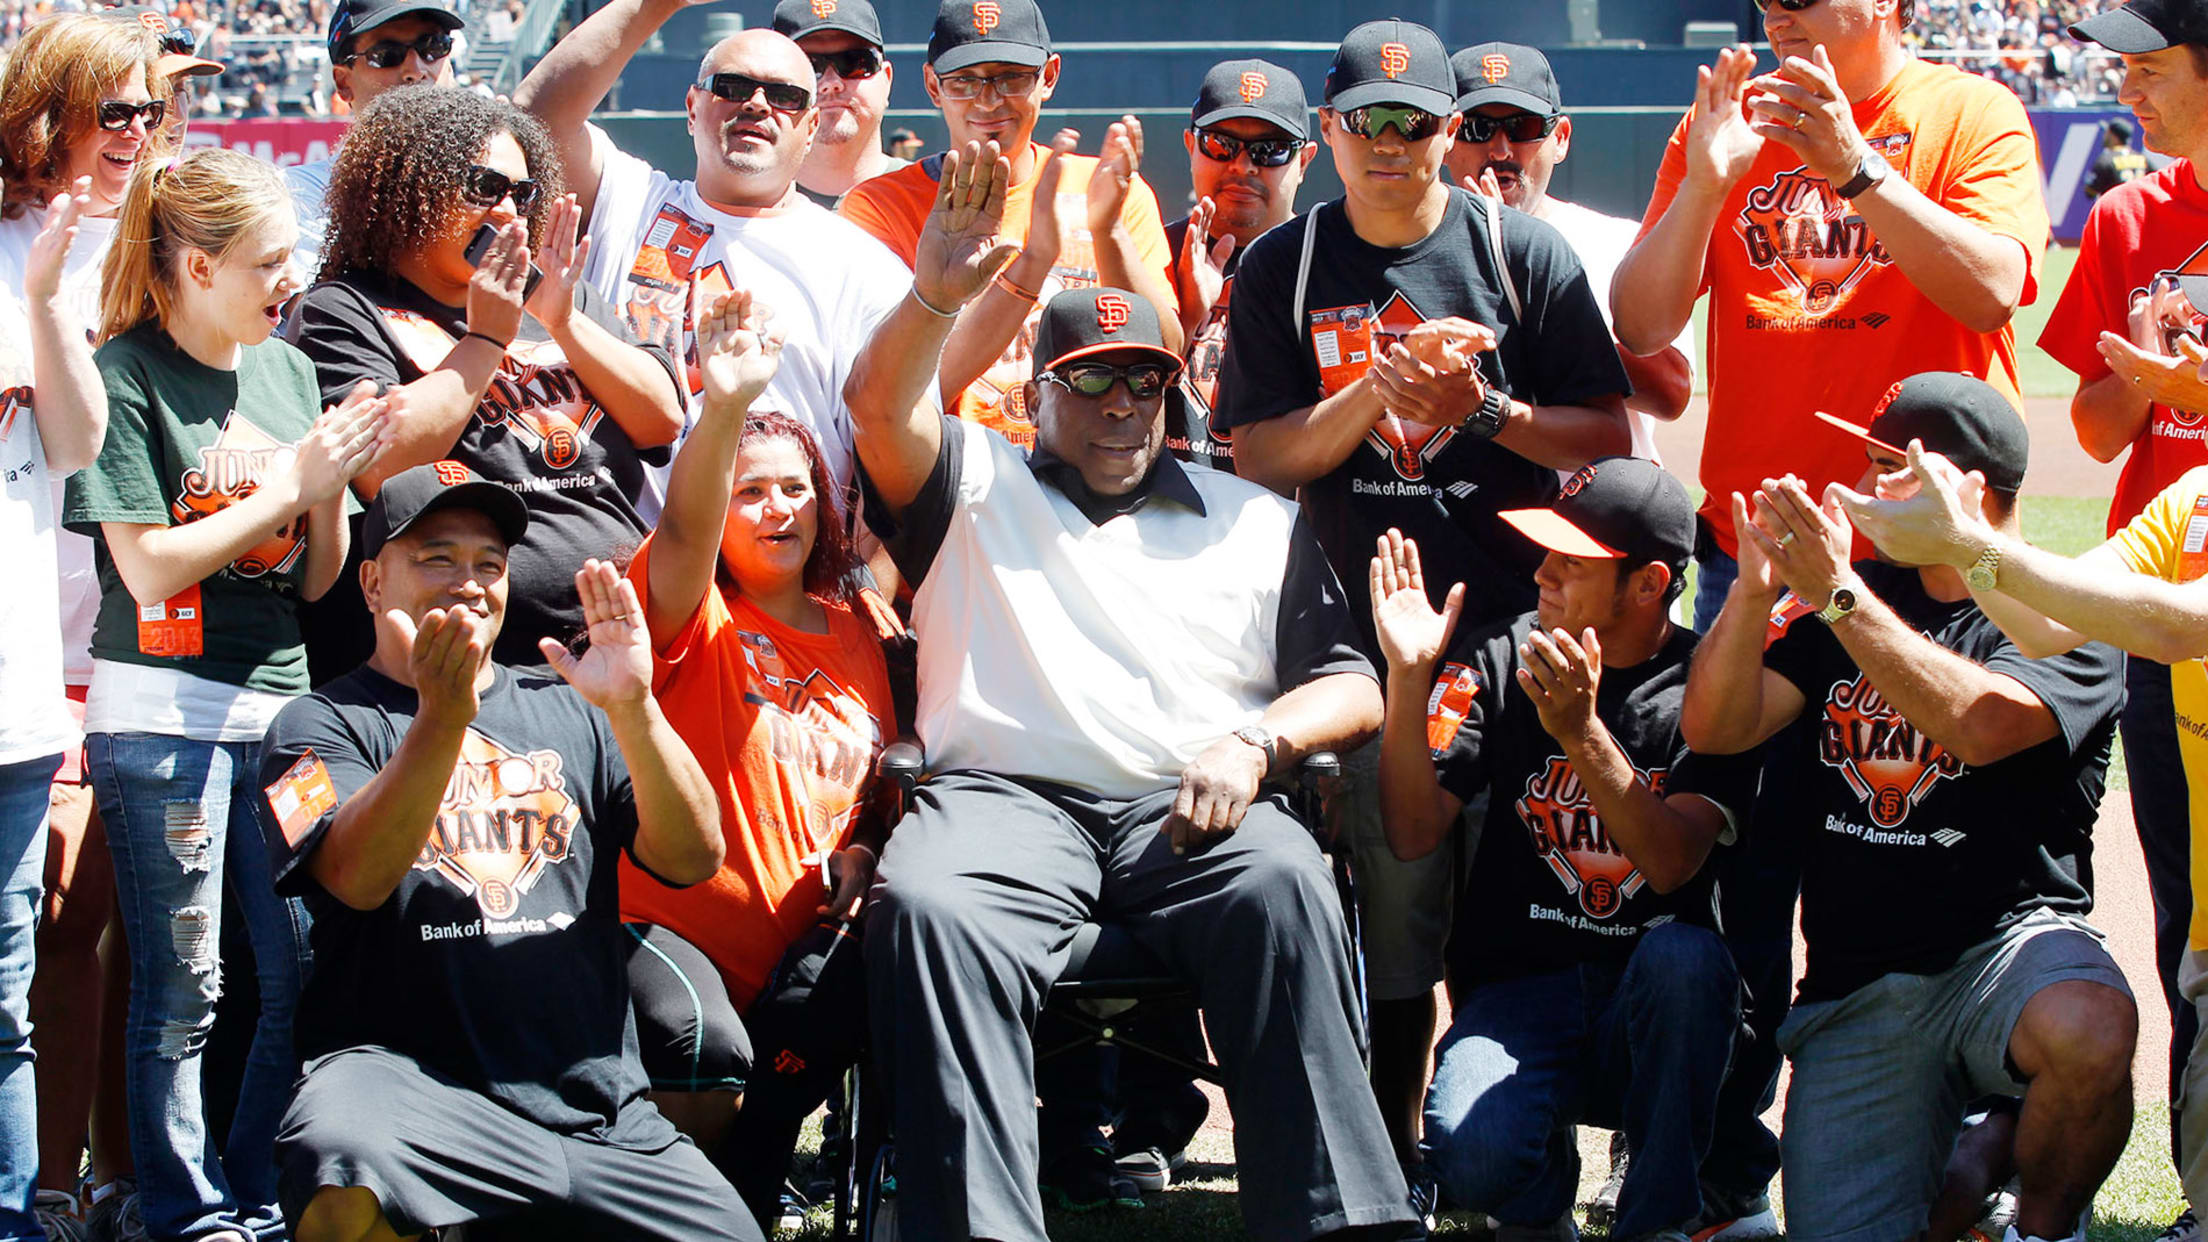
[(895, 209)]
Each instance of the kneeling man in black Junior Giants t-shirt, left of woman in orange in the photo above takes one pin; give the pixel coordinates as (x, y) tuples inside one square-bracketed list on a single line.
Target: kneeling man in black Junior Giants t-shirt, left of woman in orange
[(454, 828)]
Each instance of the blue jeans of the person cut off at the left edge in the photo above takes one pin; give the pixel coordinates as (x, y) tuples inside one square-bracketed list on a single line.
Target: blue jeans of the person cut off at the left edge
[(23, 870)]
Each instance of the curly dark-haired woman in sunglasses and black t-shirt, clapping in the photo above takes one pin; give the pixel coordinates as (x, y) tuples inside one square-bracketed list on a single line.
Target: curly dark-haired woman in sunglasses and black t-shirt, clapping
[(527, 377)]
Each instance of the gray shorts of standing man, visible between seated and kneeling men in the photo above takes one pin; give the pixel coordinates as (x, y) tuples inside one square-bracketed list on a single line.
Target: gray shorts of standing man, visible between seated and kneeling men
[(1405, 909)]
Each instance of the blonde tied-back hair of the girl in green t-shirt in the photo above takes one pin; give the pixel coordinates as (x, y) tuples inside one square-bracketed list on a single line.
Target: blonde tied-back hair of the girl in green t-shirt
[(204, 202)]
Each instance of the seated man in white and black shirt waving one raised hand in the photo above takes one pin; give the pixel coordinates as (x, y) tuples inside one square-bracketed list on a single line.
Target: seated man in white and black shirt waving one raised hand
[(1114, 653)]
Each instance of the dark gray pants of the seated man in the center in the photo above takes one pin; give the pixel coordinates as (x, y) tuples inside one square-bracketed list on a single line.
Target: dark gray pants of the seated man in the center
[(973, 914)]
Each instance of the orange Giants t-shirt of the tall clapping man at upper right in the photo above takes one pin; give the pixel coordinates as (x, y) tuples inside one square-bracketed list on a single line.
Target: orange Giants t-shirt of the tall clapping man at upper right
[(1809, 313)]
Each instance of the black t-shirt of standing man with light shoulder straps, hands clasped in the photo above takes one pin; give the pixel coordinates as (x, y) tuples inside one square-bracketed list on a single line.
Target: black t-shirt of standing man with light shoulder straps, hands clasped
[(1439, 485)]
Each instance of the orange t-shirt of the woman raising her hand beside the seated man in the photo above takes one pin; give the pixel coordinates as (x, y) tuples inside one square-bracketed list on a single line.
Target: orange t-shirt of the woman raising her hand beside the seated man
[(787, 726)]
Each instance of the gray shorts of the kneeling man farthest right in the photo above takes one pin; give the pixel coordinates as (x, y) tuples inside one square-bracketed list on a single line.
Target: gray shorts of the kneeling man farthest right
[(1882, 1077)]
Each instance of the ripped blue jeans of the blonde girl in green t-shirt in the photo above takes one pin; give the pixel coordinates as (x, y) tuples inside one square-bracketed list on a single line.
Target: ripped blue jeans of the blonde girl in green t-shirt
[(182, 821)]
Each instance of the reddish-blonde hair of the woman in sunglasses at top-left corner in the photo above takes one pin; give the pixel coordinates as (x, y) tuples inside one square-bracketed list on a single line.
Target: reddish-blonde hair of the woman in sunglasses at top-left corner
[(52, 92)]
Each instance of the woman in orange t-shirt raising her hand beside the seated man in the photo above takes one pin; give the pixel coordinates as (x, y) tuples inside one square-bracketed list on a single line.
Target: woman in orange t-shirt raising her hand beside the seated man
[(774, 673)]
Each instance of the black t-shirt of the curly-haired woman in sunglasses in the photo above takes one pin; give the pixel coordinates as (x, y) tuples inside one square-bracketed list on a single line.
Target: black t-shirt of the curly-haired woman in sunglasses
[(538, 432)]
